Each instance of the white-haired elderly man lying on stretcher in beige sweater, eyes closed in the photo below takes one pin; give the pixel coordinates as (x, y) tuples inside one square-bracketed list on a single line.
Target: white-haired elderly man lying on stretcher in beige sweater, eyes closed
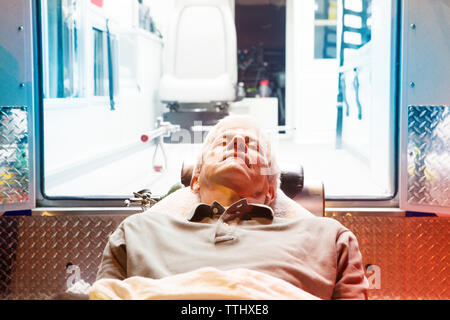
[(233, 225)]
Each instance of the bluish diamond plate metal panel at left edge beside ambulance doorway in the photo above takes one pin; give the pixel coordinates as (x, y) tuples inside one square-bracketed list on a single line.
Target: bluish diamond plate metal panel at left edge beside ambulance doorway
[(14, 168)]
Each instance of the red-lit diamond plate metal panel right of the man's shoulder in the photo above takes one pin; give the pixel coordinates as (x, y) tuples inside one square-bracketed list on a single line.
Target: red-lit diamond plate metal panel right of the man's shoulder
[(412, 255)]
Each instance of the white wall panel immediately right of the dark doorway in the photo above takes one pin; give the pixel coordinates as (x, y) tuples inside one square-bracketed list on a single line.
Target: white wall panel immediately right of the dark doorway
[(311, 84)]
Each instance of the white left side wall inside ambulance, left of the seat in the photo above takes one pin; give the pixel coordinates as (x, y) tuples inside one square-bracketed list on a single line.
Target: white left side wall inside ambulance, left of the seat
[(82, 130)]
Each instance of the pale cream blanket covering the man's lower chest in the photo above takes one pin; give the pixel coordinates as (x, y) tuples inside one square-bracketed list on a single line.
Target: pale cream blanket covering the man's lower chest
[(201, 284)]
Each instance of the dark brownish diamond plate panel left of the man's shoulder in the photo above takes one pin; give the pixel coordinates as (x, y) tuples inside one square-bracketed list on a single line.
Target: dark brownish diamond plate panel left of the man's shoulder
[(36, 251)]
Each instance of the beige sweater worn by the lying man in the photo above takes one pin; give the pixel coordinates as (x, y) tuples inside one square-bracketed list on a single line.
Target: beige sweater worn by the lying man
[(316, 255)]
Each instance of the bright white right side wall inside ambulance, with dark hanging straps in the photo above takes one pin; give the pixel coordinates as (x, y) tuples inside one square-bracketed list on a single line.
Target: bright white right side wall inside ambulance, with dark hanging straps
[(372, 137)]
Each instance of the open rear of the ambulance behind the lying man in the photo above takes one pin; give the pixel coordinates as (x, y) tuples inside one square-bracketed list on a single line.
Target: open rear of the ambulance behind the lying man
[(124, 92)]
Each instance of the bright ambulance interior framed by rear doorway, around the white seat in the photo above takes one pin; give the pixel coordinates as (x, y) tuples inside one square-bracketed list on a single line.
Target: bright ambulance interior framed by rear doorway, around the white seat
[(319, 75)]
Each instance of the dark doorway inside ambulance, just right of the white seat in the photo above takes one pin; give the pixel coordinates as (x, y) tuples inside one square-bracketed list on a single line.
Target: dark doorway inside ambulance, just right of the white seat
[(261, 37)]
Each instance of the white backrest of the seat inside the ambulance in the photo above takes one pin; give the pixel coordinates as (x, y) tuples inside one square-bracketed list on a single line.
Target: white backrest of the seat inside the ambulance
[(200, 53)]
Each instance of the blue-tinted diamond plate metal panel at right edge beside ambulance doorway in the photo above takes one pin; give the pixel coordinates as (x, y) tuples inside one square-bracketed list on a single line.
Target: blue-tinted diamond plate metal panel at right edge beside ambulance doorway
[(429, 155)]
